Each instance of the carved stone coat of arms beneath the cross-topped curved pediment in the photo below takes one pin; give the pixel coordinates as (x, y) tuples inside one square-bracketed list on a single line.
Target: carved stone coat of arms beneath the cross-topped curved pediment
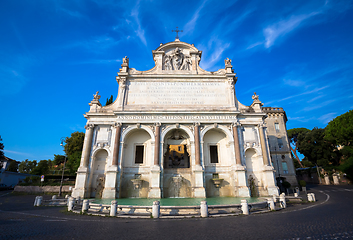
[(177, 61)]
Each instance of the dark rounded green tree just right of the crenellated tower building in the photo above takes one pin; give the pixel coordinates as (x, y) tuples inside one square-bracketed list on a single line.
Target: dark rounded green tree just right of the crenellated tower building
[(317, 150)]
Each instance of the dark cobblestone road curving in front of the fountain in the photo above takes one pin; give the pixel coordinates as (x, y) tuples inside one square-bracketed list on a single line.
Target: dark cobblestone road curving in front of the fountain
[(331, 217)]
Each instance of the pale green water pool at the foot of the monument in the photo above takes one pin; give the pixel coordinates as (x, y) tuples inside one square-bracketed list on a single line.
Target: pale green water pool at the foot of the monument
[(178, 201)]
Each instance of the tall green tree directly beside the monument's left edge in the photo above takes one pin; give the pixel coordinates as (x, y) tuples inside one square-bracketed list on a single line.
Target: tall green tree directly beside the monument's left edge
[(73, 150)]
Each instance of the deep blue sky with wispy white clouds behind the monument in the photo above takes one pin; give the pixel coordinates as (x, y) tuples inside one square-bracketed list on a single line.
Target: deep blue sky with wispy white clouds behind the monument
[(54, 55)]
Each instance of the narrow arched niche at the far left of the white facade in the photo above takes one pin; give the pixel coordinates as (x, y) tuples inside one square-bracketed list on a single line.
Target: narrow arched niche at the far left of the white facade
[(98, 173)]
